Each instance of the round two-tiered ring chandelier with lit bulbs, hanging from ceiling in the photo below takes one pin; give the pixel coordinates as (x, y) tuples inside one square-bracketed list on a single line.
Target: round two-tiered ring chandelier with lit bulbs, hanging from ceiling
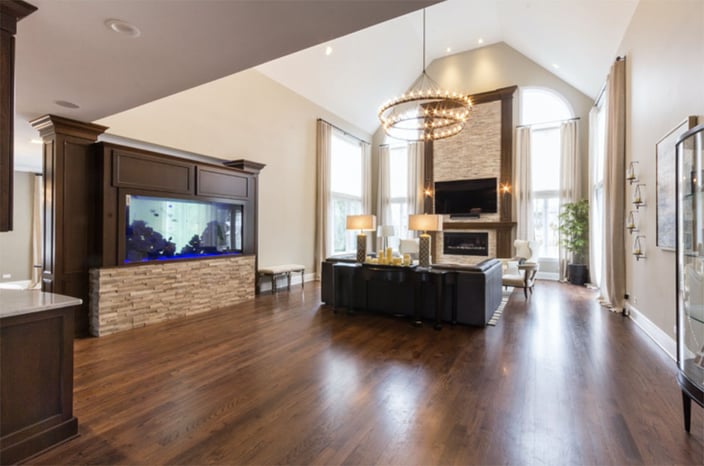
[(426, 112)]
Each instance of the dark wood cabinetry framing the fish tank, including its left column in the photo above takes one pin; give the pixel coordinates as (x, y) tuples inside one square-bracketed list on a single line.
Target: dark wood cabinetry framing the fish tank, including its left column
[(86, 185)]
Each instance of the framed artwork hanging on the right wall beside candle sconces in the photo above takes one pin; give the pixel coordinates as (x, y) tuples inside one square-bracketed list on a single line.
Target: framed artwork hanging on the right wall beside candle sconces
[(665, 181)]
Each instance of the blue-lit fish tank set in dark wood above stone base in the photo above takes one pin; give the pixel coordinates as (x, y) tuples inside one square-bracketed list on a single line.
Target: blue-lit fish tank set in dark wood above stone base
[(166, 229)]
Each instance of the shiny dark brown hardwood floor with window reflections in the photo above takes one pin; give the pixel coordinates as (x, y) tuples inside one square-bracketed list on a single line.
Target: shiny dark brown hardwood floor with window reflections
[(283, 380)]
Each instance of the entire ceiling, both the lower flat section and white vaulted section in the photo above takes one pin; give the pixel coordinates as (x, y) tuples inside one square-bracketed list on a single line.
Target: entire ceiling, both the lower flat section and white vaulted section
[(65, 52)]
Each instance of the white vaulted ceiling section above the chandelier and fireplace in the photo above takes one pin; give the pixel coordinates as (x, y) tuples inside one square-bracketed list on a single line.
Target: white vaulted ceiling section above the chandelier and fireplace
[(370, 66)]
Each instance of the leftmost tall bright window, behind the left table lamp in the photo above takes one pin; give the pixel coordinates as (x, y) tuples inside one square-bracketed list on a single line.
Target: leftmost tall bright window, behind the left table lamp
[(346, 189)]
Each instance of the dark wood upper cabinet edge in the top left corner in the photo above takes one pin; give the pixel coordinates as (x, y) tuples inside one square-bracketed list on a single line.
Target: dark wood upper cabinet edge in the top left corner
[(11, 11)]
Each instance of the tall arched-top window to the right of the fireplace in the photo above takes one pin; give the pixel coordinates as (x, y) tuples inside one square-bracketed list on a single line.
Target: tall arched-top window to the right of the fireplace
[(543, 110)]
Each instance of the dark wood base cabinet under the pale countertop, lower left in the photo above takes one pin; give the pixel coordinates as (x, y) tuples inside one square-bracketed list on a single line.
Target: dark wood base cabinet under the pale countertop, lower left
[(36, 393)]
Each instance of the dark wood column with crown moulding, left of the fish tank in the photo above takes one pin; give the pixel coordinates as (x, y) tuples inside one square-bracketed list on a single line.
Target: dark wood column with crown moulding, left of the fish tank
[(71, 176)]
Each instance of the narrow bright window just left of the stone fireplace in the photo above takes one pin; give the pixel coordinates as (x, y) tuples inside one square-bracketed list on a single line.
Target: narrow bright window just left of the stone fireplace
[(398, 202)]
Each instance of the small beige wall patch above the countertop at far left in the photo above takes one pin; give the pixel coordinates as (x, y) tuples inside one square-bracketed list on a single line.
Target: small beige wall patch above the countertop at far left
[(16, 245)]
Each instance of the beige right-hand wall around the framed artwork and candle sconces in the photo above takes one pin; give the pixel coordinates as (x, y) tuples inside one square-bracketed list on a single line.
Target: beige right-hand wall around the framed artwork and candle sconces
[(664, 46)]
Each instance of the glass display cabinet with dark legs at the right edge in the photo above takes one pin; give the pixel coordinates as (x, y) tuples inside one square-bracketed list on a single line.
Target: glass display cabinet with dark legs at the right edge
[(690, 268)]
